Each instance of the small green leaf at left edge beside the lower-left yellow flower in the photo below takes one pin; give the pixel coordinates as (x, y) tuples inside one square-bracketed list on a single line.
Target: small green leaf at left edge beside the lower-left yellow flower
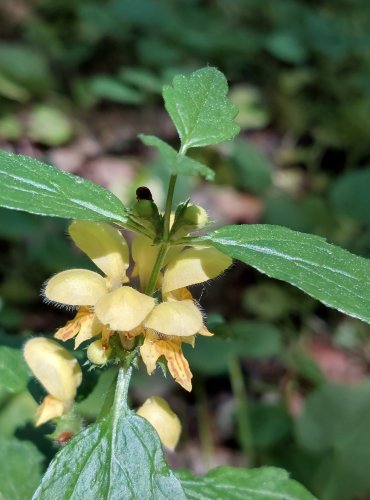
[(14, 374)]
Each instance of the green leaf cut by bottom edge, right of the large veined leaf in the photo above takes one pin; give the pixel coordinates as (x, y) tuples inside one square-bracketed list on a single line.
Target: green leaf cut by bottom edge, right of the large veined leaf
[(238, 484)]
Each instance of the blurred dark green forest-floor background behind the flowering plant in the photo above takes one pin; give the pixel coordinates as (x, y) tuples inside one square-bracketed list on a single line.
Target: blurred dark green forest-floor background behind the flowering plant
[(285, 381)]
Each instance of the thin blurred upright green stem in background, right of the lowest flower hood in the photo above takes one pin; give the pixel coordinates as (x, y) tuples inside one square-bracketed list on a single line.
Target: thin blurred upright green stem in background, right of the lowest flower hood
[(241, 410)]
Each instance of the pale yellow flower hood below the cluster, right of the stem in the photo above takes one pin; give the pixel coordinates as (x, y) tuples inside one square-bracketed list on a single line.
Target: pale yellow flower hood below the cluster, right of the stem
[(167, 424)]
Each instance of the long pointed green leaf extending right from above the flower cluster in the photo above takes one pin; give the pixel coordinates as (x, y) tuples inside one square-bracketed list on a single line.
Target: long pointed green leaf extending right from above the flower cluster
[(328, 273)]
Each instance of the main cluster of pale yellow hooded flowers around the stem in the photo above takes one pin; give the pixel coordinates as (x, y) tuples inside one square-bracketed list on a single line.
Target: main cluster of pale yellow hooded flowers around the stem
[(108, 306)]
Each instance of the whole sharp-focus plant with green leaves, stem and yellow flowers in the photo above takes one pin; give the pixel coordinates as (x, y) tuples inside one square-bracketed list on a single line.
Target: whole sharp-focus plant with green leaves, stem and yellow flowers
[(146, 315)]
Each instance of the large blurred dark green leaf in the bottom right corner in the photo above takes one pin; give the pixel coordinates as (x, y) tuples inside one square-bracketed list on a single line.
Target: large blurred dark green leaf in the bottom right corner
[(335, 424)]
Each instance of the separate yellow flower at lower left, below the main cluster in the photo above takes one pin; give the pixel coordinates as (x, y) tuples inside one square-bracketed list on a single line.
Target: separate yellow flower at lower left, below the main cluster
[(58, 371)]
